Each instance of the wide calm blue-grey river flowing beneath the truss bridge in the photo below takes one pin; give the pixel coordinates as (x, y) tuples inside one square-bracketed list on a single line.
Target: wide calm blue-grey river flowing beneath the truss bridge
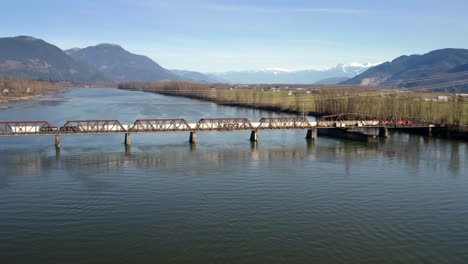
[(402, 200)]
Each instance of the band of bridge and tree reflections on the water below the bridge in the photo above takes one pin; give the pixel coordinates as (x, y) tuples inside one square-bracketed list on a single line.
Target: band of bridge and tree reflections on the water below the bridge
[(409, 150)]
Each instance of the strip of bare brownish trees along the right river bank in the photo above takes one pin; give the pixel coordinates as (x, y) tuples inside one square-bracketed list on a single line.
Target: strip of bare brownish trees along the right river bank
[(439, 108)]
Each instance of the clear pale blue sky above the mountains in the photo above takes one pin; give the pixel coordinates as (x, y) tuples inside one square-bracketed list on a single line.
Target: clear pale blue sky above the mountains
[(222, 35)]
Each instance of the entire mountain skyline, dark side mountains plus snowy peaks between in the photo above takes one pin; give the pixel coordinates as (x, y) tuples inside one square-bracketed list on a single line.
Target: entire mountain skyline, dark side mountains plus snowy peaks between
[(32, 58)]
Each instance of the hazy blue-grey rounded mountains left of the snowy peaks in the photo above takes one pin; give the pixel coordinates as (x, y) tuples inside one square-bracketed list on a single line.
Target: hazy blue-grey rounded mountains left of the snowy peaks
[(32, 58)]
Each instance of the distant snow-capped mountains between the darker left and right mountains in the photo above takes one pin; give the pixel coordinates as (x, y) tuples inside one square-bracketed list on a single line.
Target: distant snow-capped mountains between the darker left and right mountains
[(282, 75)]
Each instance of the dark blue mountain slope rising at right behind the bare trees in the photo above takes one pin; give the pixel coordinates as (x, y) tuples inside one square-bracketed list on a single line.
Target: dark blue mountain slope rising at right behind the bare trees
[(444, 70)]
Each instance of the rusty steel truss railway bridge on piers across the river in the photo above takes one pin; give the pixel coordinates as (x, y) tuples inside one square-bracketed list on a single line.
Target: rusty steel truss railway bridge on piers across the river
[(355, 123)]
